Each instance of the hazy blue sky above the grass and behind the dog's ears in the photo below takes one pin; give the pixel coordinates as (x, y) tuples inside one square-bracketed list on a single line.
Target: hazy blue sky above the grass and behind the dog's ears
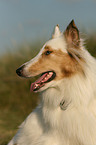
[(25, 20)]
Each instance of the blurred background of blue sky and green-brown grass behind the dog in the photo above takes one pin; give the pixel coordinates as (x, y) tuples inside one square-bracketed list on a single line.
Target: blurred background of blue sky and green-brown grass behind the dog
[(25, 25)]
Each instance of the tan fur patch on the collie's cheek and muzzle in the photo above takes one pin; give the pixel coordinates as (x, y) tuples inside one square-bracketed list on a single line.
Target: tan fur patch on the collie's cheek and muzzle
[(66, 66)]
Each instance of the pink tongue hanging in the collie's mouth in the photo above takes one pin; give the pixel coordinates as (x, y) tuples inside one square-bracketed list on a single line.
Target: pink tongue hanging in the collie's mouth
[(33, 85)]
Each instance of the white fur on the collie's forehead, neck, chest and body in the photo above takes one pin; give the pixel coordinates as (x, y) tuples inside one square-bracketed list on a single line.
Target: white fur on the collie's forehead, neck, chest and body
[(48, 124)]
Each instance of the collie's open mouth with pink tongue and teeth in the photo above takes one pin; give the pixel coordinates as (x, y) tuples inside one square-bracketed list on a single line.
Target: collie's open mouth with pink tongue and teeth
[(45, 77)]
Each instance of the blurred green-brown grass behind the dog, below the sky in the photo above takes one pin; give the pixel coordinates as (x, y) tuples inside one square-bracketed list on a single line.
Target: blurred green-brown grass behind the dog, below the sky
[(16, 101)]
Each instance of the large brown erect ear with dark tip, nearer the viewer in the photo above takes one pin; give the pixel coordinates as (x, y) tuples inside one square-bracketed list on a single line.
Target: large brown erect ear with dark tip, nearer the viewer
[(72, 35)]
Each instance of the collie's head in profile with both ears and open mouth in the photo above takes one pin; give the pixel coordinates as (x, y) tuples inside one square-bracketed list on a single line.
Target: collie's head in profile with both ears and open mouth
[(58, 59)]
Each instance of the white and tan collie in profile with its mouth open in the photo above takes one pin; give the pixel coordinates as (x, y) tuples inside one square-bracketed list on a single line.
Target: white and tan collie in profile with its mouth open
[(66, 114)]
